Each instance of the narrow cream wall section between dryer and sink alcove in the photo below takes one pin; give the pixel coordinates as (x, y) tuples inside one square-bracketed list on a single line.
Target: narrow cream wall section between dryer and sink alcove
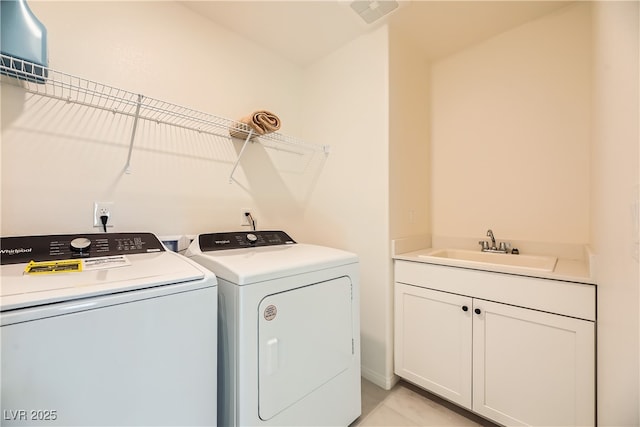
[(347, 105)]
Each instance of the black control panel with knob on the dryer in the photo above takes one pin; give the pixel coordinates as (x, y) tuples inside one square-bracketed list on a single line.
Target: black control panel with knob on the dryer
[(243, 239)]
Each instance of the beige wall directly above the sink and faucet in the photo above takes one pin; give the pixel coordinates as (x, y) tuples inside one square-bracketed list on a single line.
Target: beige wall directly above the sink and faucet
[(510, 134)]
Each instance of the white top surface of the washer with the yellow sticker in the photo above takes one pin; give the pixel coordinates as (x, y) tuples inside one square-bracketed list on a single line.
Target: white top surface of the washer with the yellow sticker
[(103, 275)]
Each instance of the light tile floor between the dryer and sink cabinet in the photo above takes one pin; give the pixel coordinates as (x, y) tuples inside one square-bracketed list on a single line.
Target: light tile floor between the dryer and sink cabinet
[(408, 405)]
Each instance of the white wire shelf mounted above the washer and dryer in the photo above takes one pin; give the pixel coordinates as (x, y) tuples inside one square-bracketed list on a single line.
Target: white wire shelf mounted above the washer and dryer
[(50, 83)]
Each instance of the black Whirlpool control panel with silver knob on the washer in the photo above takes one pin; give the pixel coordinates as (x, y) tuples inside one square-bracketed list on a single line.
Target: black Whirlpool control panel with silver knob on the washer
[(22, 249)]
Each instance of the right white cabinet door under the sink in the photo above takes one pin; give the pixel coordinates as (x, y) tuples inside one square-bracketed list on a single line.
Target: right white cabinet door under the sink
[(532, 368)]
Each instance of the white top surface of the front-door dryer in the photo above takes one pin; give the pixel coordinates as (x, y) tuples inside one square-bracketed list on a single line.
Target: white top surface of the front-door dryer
[(257, 264)]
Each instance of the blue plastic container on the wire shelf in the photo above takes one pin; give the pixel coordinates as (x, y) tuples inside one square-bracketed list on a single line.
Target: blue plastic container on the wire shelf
[(23, 38)]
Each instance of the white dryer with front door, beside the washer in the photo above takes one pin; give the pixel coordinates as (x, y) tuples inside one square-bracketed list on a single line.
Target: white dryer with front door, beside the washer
[(288, 337)]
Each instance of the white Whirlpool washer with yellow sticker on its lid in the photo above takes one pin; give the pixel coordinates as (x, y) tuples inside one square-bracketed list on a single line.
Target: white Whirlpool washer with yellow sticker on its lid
[(105, 329)]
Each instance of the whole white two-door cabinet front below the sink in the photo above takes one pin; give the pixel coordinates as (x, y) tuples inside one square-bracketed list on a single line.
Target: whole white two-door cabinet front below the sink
[(459, 334)]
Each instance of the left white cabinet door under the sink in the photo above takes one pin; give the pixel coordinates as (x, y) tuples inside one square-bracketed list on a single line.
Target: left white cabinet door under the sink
[(433, 341)]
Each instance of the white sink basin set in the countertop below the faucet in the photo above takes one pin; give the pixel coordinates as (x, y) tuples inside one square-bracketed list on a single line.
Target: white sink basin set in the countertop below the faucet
[(533, 262)]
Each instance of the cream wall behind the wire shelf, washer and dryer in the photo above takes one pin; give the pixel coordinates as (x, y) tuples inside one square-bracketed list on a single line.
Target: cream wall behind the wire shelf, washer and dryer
[(57, 159)]
